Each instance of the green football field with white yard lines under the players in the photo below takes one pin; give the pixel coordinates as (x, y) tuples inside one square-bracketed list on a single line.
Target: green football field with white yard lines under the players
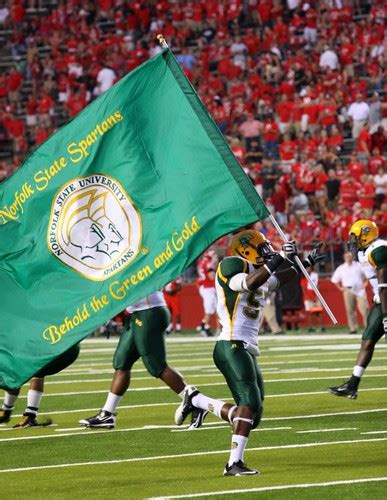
[(310, 444)]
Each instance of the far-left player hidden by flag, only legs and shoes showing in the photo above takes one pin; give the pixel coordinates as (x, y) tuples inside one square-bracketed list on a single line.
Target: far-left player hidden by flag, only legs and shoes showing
[(35, 392)]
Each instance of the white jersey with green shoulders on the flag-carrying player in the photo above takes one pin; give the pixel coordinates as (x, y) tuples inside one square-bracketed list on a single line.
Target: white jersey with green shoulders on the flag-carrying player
[(240, 313)]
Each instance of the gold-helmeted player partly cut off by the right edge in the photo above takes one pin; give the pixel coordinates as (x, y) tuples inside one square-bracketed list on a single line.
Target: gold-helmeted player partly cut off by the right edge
[(371, 251)]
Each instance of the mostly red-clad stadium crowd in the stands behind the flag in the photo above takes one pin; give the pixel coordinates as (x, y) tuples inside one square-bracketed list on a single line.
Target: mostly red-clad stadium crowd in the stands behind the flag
[(297, 87)]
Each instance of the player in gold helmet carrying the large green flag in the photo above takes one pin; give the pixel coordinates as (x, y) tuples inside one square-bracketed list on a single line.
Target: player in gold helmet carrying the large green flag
[(243, 282)]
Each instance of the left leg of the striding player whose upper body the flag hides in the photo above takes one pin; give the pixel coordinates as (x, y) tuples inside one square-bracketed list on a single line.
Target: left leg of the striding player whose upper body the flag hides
[(125, 355)]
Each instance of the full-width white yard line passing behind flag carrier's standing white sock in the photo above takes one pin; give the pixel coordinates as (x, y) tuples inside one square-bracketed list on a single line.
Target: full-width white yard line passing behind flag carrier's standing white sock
[(188, 455)]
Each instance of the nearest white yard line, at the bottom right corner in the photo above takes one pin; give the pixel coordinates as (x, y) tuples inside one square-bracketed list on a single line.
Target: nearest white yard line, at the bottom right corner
[(274, 488)]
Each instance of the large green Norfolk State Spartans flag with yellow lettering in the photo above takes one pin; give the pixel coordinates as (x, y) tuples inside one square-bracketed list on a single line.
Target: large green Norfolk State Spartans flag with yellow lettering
[(112, 207)]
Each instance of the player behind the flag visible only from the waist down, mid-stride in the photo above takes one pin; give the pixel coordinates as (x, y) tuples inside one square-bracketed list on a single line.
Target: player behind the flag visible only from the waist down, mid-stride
[(144, 339)]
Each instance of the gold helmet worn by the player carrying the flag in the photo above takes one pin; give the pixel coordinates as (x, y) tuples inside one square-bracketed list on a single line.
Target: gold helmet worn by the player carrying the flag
[(252, 246)]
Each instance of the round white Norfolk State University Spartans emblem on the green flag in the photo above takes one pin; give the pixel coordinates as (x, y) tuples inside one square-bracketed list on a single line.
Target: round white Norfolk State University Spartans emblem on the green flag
[(94, 227)]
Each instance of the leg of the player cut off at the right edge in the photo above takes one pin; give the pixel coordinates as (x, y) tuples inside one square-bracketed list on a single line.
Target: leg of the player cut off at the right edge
[(372, 334)]
